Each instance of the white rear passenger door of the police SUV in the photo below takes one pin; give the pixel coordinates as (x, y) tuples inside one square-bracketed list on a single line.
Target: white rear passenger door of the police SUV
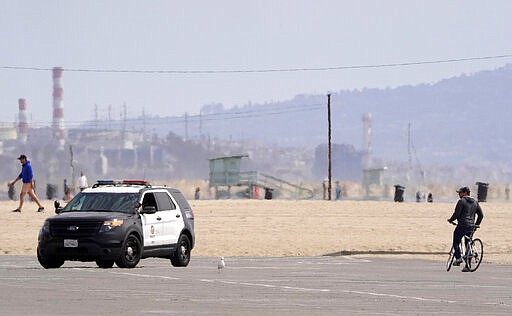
[(172, 218)]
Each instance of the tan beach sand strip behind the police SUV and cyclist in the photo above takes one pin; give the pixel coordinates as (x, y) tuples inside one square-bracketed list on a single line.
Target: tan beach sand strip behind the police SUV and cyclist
[(304, 228)]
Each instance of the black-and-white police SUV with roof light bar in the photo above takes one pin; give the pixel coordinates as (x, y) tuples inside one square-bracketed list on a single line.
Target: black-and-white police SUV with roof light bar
[(119, 222)]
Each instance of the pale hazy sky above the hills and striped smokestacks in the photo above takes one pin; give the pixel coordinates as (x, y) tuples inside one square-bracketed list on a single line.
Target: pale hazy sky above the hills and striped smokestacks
[(232, 35)]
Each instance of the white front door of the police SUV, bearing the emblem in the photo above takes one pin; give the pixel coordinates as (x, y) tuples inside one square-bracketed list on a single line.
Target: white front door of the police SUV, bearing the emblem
[(152, 224)]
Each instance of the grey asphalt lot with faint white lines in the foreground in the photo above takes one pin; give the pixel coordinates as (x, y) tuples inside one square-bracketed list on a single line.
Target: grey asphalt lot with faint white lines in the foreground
[(255, 286)]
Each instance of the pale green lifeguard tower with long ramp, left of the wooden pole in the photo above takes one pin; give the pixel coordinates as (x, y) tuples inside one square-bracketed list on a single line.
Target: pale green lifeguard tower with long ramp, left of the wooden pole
[(225, 173)]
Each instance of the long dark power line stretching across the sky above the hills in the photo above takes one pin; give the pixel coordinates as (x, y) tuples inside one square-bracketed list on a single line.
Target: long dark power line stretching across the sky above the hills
[(270, 70)]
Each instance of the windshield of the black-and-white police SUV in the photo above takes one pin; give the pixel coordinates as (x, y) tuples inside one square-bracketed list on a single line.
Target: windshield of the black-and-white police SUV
[(103, 202)]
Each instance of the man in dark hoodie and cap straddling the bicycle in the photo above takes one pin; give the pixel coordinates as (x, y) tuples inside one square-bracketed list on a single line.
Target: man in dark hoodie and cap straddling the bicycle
[(465, 215)]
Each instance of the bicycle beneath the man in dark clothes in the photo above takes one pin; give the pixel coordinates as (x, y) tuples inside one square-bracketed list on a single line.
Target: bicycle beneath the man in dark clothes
[(472, 254)]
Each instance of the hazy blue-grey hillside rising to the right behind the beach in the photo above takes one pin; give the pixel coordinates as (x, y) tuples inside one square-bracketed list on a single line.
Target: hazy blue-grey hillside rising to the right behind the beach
[(462, 119)]
